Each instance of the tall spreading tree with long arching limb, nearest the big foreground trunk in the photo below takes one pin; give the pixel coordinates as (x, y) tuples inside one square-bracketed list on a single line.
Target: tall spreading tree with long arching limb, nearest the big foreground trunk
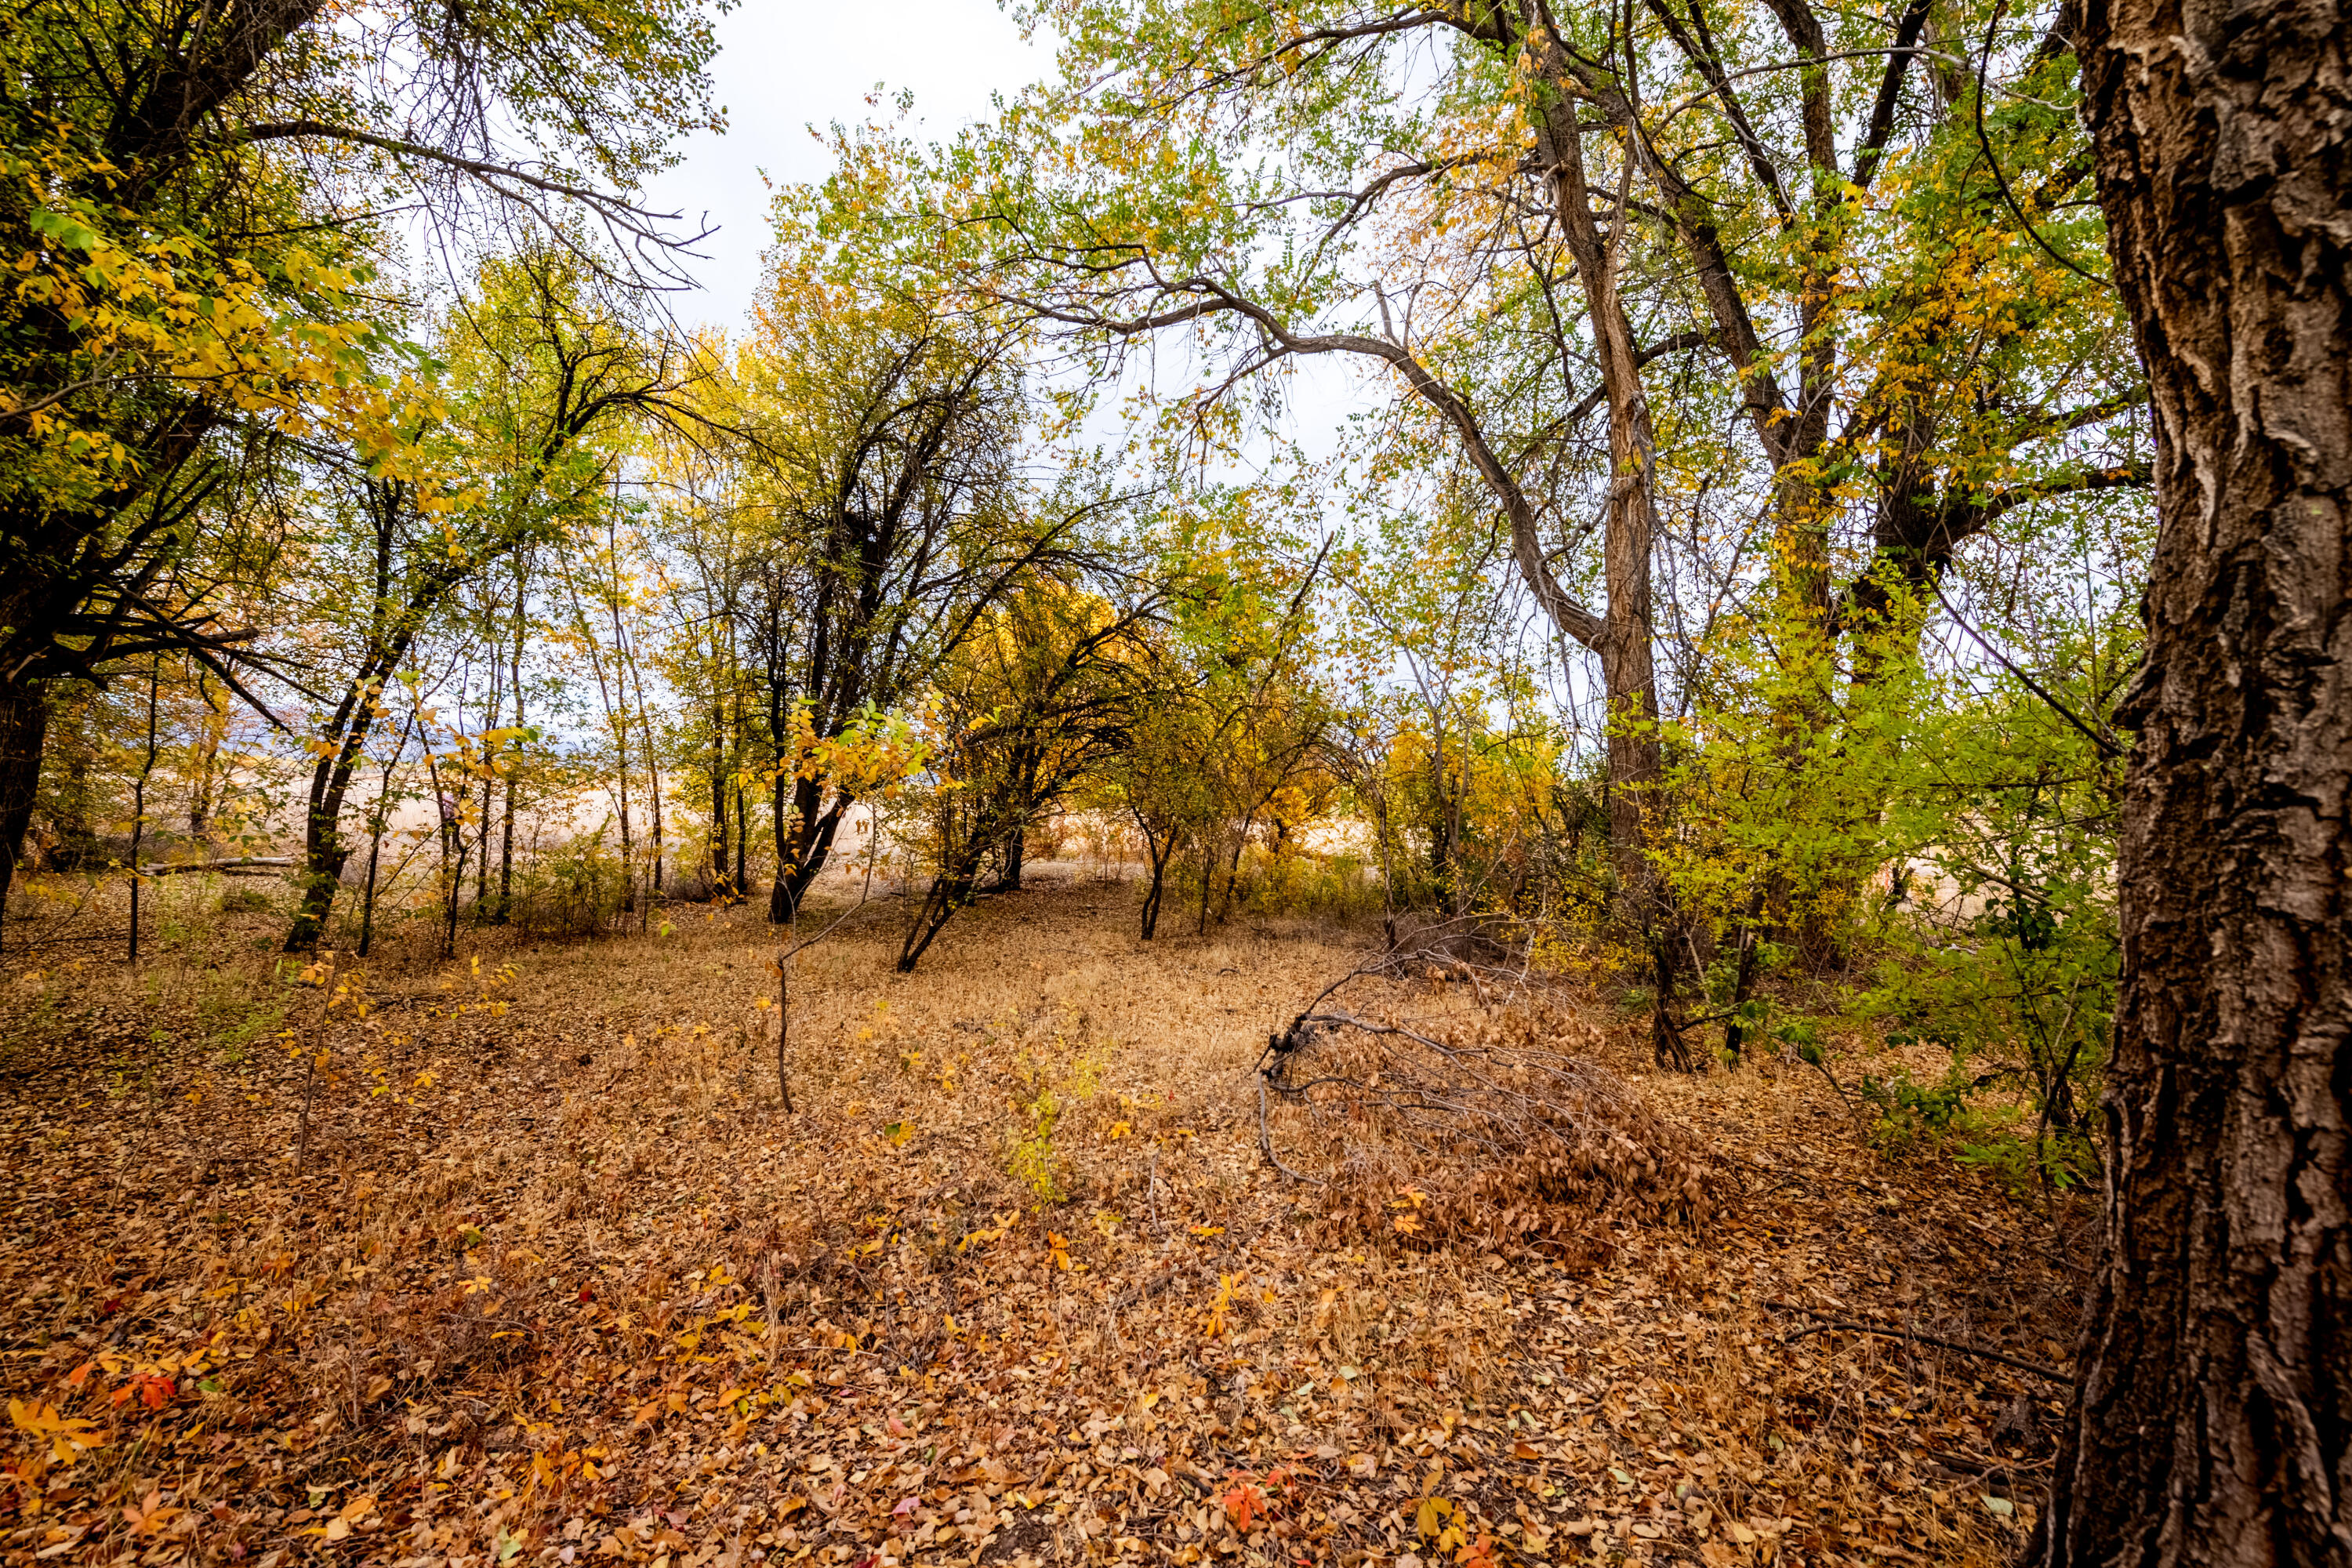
[(1610, 255)]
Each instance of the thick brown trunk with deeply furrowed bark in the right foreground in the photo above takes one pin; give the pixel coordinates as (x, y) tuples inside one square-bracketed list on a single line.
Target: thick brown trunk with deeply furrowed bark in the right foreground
[(2214, 1409)]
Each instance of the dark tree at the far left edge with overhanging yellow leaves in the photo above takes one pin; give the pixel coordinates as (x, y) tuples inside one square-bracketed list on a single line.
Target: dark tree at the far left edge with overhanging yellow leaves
[(192, 196)]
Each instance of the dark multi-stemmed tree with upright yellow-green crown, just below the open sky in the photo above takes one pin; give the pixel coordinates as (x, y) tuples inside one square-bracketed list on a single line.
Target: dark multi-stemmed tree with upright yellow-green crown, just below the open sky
[(883, 474)]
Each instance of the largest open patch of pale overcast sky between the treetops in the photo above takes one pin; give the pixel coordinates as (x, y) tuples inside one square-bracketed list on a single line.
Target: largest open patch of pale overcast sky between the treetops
[(791, 65)]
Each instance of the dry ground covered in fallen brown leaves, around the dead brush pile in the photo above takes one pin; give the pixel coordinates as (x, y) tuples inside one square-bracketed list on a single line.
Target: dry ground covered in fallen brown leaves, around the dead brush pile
[(549, 1275)]
